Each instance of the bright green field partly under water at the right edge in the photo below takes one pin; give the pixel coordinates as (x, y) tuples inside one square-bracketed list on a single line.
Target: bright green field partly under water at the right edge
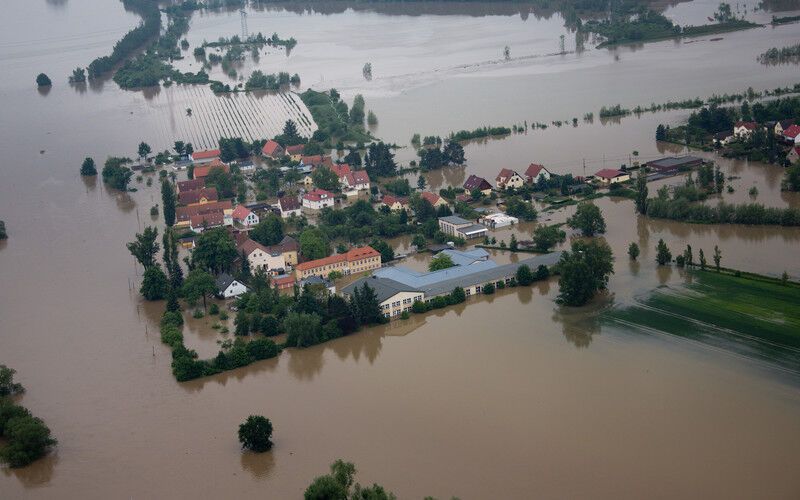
[(751, 317)]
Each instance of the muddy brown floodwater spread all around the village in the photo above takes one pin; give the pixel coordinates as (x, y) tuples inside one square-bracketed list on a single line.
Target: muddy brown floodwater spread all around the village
[(508, 395)]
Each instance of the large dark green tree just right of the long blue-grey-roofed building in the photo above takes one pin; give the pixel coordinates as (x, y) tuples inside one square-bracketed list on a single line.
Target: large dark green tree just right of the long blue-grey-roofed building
[(584, 271)]
